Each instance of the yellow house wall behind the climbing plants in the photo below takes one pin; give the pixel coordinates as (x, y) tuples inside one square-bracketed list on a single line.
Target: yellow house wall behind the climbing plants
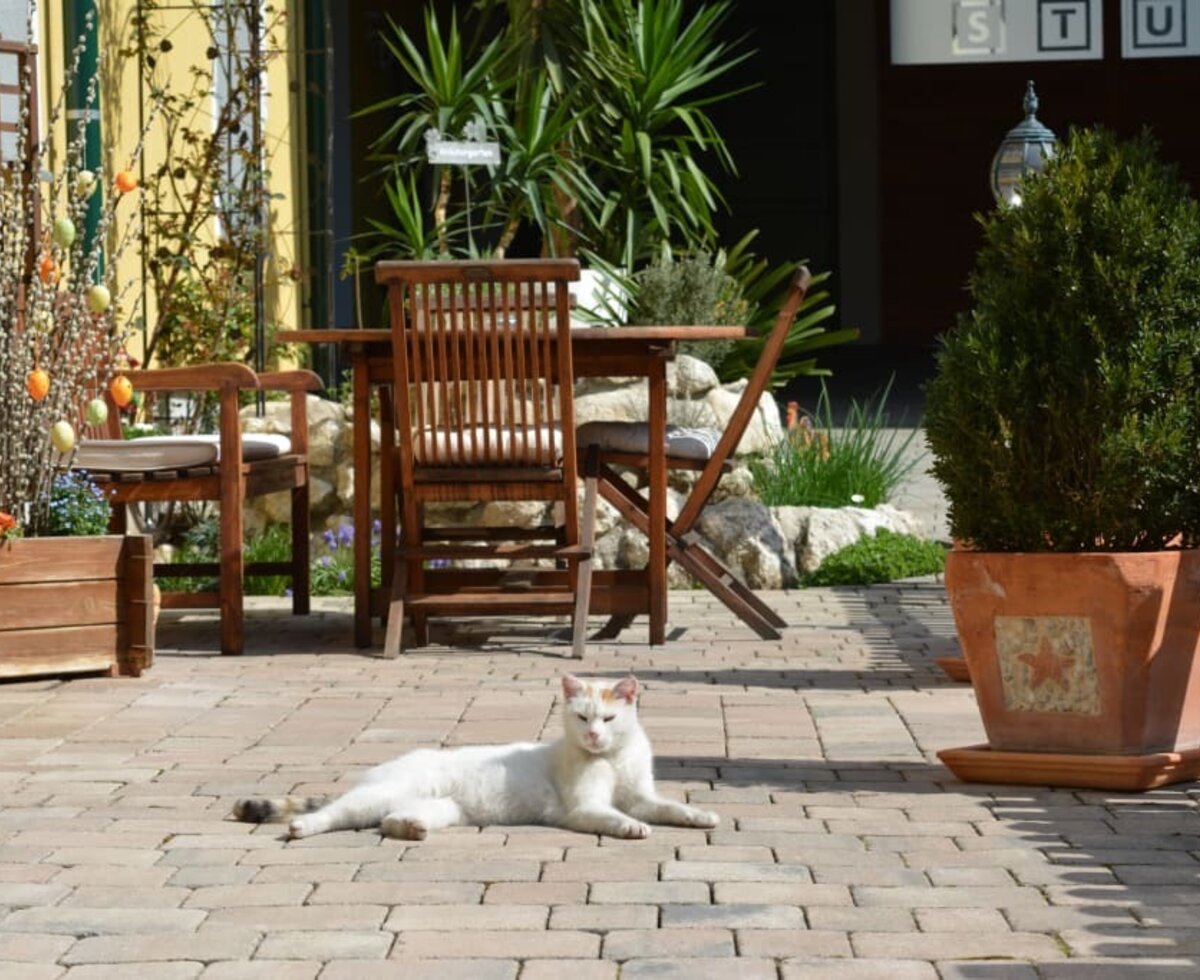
[(122, 131)]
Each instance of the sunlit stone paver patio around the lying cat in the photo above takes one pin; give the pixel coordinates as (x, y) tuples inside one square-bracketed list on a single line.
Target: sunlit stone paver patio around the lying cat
[(845, 850)]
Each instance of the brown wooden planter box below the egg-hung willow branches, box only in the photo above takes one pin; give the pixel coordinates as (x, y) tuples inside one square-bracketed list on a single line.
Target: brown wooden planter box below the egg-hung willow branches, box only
[(76, 605)]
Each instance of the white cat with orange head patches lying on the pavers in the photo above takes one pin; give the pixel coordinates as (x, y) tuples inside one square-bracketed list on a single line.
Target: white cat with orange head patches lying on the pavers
[(597, 779)]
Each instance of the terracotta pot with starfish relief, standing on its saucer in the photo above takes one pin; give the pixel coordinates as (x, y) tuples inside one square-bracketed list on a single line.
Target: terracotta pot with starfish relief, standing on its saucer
[(1085, 666)]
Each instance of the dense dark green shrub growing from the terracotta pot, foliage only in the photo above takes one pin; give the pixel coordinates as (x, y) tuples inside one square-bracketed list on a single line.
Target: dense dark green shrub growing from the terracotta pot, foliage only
[(1065, 414)]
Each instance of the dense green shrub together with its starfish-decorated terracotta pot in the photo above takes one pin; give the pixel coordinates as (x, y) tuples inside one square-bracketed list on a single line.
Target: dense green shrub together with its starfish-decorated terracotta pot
[(1065, 428)]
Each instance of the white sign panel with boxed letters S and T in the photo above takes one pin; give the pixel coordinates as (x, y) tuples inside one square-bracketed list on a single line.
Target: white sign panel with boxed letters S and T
[(953, 32)]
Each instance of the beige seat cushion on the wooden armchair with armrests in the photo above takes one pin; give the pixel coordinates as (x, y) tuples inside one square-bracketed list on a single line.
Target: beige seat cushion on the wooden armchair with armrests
[(172, 453)]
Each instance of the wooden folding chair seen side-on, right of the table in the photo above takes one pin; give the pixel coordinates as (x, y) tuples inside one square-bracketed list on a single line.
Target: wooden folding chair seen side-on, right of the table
[(707, 452)]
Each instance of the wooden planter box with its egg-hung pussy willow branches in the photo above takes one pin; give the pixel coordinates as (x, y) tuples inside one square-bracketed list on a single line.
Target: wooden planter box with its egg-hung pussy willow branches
[(80, 603)]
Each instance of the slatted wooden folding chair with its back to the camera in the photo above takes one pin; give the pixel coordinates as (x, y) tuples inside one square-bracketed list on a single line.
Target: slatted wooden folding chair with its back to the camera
[(484, 412)]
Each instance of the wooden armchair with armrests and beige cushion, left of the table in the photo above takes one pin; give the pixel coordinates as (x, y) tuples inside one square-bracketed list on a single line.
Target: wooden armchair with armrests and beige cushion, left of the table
[(227, 468)]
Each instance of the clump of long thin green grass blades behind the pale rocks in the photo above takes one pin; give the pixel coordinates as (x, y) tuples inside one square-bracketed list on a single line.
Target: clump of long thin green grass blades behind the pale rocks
[(818, 465)]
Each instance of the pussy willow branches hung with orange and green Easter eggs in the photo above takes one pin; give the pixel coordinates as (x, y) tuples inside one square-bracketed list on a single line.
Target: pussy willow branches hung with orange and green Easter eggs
[(61, 338)]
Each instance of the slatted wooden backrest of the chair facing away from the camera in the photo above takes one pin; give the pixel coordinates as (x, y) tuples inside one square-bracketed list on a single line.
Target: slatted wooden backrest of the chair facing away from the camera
[(478, 348)]
